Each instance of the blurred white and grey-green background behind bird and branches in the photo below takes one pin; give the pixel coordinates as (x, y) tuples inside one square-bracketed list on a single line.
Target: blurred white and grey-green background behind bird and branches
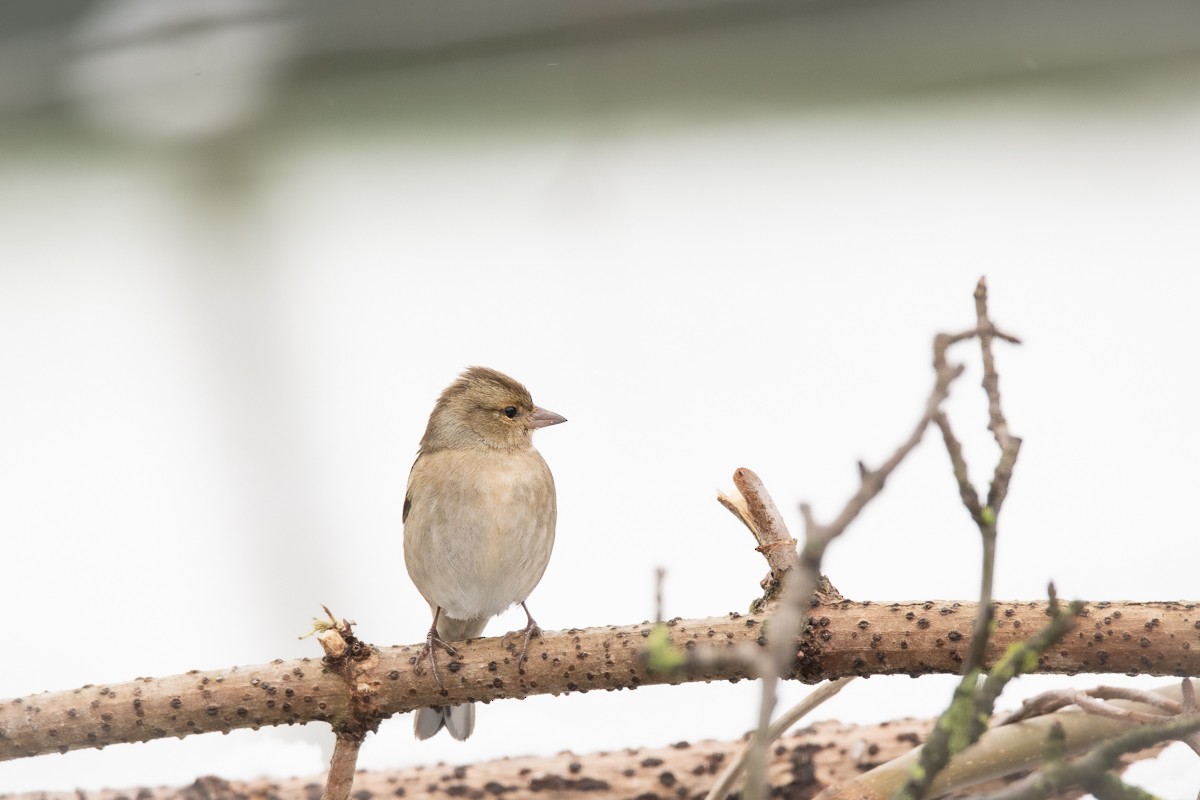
[(244, 244)]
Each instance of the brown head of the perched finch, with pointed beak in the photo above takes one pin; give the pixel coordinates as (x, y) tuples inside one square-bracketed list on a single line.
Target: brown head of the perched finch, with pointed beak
[(483, 410)]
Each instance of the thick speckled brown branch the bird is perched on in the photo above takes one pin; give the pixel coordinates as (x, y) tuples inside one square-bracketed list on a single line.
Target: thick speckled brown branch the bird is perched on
[(839, 640)]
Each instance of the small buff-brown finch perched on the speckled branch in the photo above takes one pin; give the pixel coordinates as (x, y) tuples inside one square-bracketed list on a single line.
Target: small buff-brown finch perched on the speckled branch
[(479, 519)]
